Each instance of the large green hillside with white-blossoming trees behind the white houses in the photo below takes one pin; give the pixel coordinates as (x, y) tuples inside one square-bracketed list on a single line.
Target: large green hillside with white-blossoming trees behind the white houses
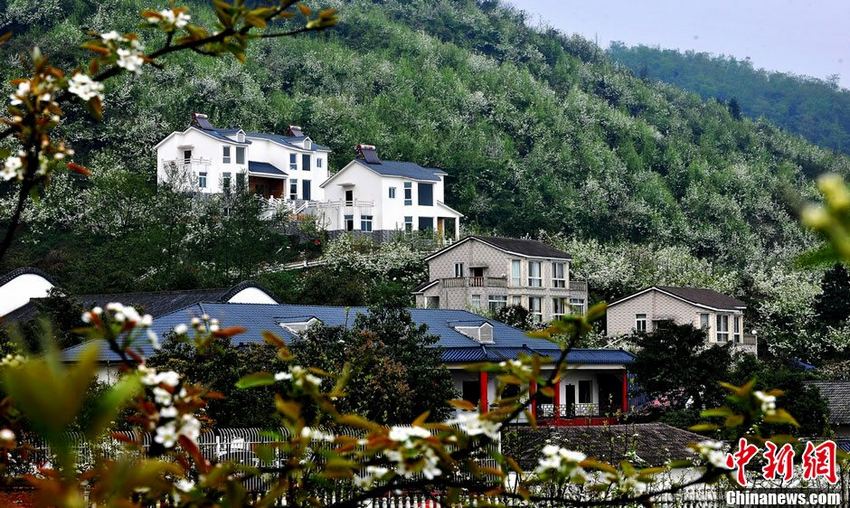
[(538, 131)]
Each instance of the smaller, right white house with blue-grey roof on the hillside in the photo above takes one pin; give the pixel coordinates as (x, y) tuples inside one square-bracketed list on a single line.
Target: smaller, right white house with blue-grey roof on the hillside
[(371, 195)]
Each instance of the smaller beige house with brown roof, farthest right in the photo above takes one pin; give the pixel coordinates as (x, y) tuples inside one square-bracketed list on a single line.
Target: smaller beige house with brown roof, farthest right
[(721, 316)]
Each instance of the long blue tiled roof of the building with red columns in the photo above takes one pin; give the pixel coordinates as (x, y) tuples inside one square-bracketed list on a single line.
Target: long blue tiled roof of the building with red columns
[(457, 348)]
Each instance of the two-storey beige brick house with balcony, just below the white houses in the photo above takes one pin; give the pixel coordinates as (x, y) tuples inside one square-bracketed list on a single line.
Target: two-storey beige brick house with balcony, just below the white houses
[(487, 273)]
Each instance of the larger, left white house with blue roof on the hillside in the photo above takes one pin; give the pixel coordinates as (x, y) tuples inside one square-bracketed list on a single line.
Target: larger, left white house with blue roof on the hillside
[(207, 159)]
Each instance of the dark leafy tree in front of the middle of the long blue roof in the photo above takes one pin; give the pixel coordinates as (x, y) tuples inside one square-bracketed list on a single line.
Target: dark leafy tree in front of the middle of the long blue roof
[(396, 373)]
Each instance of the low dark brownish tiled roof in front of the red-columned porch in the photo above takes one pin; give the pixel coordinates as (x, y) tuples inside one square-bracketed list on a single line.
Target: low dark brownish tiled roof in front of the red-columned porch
[(653, 443)]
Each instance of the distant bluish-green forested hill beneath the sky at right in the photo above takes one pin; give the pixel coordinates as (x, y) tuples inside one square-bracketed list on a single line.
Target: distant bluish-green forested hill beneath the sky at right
[(816, 109)]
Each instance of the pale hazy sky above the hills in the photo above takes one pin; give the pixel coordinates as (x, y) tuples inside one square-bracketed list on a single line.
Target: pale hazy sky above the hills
[(808, 37)]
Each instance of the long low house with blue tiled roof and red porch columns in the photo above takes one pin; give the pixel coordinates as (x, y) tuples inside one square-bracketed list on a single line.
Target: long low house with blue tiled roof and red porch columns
[(593, 390)]
